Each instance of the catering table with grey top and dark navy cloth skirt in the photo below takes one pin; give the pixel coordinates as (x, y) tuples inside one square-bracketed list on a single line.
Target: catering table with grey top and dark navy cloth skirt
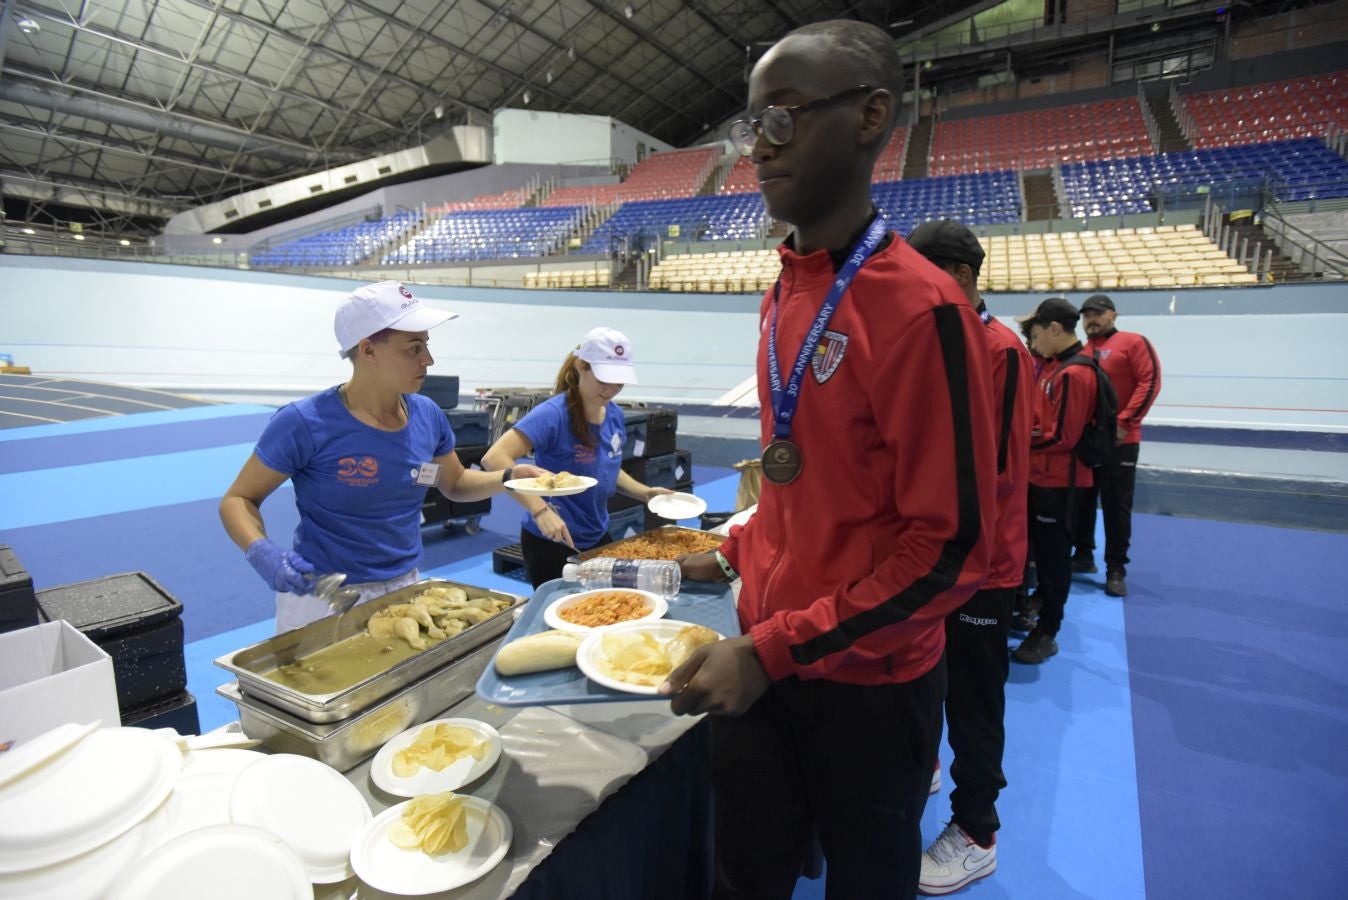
[(606, 801)]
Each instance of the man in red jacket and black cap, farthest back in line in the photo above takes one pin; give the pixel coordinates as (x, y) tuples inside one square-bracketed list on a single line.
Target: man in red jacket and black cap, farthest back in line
[(1132, 364)]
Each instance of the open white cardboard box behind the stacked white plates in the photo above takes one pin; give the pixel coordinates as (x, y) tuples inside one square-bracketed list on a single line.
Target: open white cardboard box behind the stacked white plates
[(51, 676)]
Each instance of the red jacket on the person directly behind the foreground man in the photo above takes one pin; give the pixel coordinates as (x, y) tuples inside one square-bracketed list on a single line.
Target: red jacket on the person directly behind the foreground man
[(1014, 394)]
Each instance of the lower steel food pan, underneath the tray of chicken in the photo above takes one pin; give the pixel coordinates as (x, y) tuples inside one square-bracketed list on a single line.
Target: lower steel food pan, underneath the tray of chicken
[(347, 744)]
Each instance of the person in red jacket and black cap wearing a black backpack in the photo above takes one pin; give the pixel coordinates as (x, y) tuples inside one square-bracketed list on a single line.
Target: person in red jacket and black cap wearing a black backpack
[(1056, 472)]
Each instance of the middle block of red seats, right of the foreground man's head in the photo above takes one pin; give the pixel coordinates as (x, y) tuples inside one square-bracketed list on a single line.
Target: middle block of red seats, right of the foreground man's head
[(1040, 138)]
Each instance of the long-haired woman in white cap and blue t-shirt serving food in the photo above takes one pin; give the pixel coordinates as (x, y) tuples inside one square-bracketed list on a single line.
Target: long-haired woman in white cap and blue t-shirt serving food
[(579, 430)]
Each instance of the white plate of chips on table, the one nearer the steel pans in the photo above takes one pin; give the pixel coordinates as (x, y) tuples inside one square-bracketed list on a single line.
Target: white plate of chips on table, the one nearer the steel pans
[(441, 755)]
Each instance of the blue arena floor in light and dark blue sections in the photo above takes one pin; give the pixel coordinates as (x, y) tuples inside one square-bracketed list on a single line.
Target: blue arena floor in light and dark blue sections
[(1191, 742)]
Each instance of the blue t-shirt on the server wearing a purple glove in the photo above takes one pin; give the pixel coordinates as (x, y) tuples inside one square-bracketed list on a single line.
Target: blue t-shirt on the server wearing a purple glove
[(355, 486)]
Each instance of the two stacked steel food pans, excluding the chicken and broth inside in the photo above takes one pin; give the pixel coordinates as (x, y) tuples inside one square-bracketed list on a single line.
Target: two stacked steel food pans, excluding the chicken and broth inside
[(346, 727)]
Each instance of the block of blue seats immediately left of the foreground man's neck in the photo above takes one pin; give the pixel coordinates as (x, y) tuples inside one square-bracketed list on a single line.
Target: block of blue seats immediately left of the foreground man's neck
[(706, 219)]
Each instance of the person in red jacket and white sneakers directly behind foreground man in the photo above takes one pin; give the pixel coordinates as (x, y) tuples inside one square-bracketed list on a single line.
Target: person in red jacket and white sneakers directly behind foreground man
[(977, 634)]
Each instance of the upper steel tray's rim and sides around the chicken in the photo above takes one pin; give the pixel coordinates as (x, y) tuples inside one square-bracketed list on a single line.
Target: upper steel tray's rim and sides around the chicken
[(250, 665)]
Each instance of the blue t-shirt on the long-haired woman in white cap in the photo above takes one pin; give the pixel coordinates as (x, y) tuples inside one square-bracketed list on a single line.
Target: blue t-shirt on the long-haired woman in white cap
[(549, 428)]
